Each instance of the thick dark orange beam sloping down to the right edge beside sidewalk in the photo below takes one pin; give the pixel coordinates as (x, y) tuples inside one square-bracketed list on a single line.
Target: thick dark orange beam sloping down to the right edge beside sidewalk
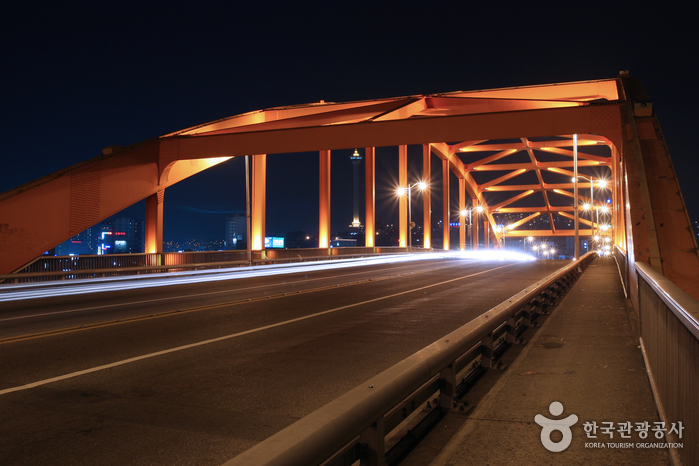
[(659, 231)]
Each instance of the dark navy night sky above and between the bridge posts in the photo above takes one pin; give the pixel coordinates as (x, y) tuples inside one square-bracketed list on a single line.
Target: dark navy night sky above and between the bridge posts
[(80, 76)]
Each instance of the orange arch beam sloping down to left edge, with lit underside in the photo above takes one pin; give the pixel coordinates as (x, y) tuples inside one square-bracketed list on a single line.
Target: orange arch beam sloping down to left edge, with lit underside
[(80, 196)]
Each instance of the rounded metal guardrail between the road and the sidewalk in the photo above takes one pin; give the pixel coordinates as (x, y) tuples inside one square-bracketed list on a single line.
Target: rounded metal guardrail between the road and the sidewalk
[(354, 426)]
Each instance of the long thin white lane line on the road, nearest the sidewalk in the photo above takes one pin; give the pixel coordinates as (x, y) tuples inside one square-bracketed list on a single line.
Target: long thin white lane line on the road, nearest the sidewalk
[(228, 337)]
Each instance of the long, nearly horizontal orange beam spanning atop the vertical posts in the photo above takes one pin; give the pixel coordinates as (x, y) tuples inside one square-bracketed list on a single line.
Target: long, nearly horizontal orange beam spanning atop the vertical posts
[(536, 123)]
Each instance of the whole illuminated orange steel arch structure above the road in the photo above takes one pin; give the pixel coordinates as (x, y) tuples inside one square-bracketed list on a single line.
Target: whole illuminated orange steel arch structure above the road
[(511, 150)]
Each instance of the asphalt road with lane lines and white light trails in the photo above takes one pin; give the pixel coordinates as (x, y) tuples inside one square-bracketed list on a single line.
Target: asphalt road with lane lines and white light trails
[(194, 373)]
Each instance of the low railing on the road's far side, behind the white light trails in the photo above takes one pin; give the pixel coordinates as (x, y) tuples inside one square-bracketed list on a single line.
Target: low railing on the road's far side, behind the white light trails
[(88, 266)]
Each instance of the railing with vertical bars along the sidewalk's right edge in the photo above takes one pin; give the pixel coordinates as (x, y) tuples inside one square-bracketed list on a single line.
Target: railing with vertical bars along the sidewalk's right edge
[(669, 327)]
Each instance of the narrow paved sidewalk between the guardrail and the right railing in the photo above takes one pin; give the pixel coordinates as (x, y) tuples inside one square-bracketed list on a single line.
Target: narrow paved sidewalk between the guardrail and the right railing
[(586, 355)]
